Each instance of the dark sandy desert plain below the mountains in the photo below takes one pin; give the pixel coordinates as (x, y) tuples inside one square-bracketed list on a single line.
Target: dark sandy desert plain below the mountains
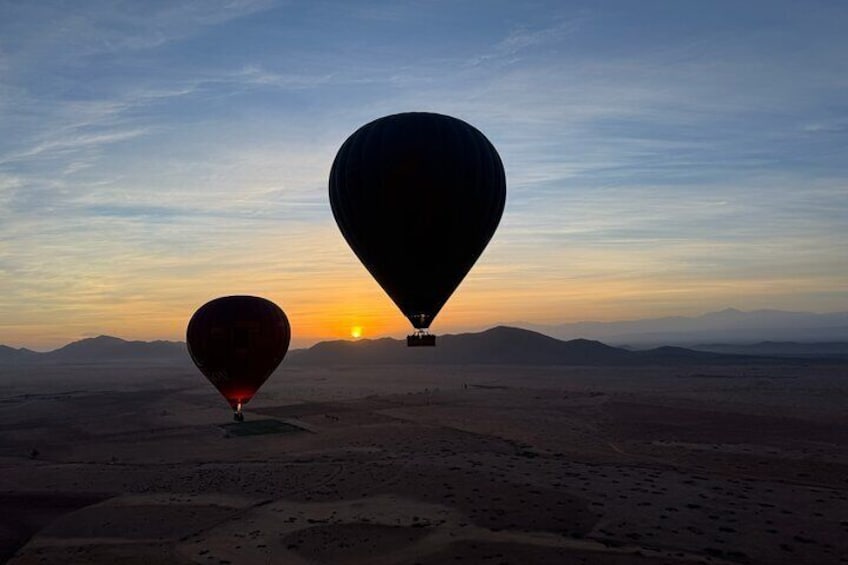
[(427, 465)]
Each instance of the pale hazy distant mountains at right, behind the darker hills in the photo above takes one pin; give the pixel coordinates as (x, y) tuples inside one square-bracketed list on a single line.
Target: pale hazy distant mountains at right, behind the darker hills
[(729, 326)]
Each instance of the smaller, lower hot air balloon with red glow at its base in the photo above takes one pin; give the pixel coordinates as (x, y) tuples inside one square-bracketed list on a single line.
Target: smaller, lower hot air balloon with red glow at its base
[(237, 342)]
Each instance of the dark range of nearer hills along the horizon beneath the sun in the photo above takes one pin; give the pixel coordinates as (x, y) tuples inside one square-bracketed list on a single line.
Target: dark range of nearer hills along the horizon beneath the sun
[(496, 346)]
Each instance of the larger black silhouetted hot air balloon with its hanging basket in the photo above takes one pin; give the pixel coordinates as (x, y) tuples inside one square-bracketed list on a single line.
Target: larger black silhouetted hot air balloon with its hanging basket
[(418, 196)]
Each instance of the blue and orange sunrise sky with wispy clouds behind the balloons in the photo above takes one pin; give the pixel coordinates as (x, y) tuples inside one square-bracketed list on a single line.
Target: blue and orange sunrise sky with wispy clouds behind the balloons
[(662, 158)]
